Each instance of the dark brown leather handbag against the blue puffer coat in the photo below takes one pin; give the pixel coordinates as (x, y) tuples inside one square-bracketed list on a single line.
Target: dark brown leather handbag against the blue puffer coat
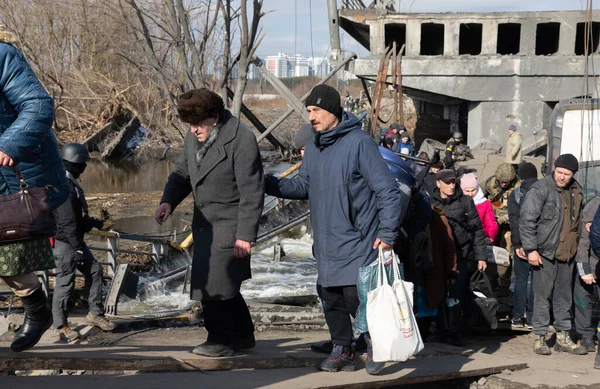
[(26, 214)]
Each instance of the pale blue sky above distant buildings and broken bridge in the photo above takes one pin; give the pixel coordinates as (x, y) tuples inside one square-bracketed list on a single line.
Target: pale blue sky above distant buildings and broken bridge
[(288, 25)]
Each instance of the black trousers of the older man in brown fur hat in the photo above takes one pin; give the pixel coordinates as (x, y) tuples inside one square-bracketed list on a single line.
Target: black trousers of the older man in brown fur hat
[(227, 321)]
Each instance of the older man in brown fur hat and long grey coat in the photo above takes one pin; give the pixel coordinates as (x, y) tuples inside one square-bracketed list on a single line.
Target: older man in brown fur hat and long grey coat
[(221, 167)]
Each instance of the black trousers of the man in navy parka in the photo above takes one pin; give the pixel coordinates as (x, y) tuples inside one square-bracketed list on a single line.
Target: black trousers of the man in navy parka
[(340, 303)]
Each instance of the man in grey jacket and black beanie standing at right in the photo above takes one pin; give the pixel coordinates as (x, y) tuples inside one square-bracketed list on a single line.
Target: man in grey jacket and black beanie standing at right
[(549, 229)]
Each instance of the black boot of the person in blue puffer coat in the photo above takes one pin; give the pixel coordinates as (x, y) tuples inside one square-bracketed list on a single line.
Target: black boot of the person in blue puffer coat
[(38, 318)]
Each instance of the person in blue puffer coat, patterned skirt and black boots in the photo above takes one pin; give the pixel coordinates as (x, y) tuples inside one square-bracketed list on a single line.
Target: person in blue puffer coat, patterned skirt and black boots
[(28, 143)]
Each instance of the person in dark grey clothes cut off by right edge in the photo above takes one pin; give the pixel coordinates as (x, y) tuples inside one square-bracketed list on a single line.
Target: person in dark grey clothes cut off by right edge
[(588, 272)]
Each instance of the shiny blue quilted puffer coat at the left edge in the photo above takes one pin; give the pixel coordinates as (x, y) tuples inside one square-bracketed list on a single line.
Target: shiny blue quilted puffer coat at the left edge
[(26, 115)]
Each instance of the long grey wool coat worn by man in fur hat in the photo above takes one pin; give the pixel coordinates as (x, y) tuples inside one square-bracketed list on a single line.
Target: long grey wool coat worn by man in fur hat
[(228, 195)]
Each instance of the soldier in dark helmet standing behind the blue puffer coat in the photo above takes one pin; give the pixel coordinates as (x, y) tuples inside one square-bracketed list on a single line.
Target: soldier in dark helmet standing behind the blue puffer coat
[(70, 251)]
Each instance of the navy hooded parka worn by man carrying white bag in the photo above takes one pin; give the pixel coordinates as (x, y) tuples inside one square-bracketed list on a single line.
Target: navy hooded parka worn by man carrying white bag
[(354, 199)]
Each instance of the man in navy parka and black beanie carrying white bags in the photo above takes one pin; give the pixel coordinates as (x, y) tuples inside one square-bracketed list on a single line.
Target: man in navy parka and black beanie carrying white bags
[(354, 202)]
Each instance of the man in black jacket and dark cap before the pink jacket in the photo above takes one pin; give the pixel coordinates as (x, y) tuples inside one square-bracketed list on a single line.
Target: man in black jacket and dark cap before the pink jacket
[(467, 232)]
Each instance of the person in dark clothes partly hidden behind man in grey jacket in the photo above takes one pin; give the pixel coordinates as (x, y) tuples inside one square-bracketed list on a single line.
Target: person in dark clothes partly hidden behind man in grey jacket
[(523, 296)]
